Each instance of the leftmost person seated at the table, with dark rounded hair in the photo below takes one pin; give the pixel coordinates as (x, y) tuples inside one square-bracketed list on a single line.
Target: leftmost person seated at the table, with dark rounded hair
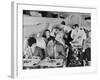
[(34, 49)]
